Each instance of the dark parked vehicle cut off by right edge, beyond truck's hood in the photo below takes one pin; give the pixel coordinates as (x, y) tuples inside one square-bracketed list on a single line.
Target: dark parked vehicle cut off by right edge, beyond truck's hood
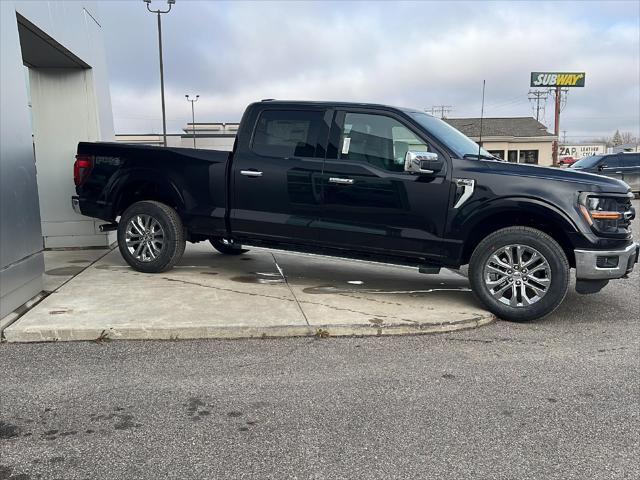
[(623, 166)]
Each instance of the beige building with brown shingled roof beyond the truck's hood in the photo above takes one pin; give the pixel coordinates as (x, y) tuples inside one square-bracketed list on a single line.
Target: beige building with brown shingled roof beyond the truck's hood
[(516, 139)]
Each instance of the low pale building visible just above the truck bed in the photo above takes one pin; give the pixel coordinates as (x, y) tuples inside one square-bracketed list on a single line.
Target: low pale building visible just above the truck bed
[(212, 136)]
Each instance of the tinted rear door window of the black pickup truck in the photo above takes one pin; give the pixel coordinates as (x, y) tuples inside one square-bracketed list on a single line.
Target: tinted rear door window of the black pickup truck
[(281, 133)]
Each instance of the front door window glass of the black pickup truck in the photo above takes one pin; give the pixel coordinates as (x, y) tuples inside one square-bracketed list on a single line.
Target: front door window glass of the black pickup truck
[(378, 140)]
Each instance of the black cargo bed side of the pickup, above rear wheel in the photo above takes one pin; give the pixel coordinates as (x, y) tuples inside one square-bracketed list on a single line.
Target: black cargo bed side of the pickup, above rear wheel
[(193, 180)]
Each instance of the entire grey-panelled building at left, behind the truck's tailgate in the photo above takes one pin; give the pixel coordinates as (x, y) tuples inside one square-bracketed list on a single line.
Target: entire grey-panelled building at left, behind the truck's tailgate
[(54, 93)]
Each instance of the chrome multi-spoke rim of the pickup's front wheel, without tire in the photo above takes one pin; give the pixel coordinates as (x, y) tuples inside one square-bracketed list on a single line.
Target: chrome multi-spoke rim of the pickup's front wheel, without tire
[(517, 275)]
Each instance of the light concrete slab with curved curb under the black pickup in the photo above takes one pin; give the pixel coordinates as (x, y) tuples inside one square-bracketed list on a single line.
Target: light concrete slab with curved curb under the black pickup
[(260, 294)]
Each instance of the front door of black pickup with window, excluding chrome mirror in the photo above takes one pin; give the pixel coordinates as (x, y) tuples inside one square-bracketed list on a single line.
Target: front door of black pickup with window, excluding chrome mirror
[(370, 202)]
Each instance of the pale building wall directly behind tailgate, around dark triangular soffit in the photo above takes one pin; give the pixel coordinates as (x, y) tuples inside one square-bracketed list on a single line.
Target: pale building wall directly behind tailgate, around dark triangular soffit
[(69, 105)]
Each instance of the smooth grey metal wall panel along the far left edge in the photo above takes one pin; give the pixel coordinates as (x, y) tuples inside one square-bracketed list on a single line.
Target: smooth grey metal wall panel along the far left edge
[(21, 265)]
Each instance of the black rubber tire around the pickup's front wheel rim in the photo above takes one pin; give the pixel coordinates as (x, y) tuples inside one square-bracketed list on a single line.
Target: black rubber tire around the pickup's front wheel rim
[(558, 269)]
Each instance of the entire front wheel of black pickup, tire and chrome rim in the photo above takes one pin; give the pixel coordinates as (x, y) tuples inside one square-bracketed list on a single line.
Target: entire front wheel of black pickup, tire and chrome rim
[(519, 273)]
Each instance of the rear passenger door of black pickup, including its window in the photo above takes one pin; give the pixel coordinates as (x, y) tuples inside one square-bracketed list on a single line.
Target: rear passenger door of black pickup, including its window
[(276, 175)]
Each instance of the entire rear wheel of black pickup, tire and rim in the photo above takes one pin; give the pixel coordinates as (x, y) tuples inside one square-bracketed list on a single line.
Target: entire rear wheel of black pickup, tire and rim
[(151, 236)]
